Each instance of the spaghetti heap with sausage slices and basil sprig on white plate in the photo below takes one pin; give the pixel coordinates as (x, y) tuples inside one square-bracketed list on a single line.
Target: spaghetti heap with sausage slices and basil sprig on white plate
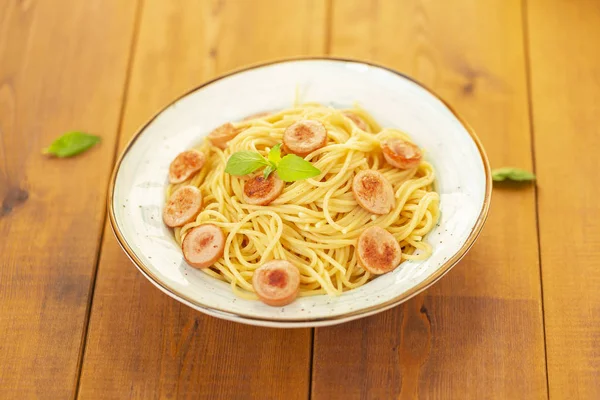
[(304, 201)]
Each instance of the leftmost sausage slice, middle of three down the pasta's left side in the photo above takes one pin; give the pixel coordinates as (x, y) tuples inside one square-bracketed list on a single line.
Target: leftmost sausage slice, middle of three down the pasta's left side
[(183, 206)]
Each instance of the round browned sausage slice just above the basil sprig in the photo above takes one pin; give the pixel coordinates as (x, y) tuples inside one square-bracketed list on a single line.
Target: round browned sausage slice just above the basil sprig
[(304, 137)]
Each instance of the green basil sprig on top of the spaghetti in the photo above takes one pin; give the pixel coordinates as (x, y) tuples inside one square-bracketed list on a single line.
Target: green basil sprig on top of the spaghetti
[(290, 168)]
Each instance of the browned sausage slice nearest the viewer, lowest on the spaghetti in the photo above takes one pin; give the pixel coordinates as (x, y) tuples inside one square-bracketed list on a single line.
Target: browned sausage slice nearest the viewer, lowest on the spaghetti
[(276, 283)]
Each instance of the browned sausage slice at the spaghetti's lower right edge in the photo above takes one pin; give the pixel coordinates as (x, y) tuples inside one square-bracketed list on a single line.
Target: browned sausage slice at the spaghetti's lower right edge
[(378, 251)]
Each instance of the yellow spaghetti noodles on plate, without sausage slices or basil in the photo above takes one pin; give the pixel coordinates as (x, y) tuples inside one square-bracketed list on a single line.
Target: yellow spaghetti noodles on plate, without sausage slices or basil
[(314, 223)]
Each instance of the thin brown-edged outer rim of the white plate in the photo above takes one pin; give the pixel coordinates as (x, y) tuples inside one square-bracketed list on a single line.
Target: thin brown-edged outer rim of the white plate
[(308, 321)]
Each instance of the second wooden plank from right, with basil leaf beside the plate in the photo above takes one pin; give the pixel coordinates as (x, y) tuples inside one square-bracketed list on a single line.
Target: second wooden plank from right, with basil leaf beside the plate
[(477, 333)]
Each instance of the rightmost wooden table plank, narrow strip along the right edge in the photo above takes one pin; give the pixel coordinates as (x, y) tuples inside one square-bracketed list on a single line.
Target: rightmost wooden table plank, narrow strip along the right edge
[(565, 82)]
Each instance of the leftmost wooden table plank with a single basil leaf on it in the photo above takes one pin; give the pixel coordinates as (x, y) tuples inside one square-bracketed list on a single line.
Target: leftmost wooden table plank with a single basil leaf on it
[(53, 210)]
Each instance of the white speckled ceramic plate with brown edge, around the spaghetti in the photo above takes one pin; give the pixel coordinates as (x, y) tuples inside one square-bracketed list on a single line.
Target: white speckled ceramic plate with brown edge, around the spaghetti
[(136, 195)]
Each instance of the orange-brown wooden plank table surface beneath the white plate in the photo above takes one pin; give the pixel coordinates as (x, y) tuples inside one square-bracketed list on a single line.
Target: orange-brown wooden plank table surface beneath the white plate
[(519, 318)]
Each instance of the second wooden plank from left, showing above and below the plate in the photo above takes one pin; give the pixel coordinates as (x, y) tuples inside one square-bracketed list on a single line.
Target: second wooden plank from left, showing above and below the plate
[(141, 343)]
